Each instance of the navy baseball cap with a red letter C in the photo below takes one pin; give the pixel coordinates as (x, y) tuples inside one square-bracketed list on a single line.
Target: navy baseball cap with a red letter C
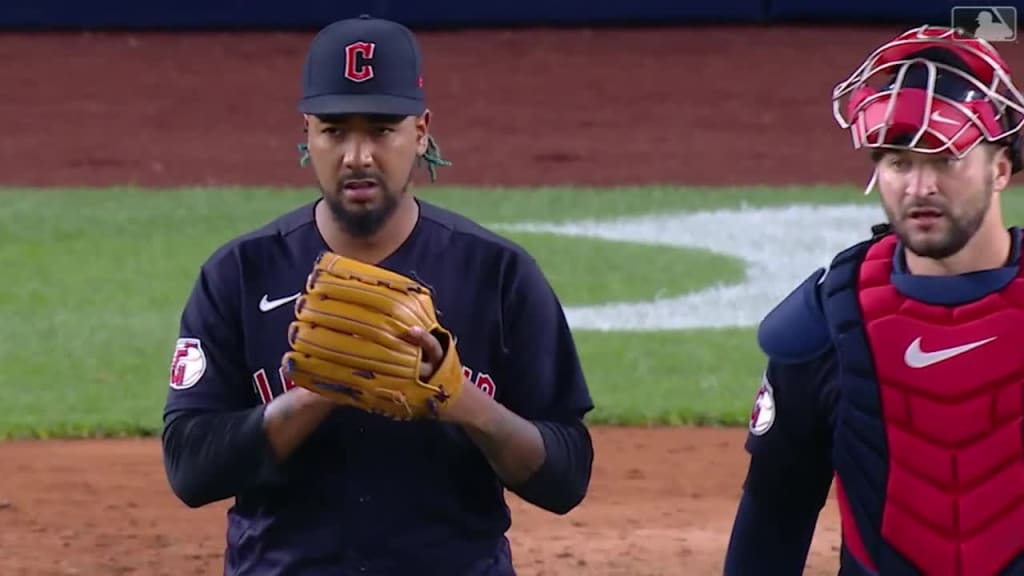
[(364, 66)]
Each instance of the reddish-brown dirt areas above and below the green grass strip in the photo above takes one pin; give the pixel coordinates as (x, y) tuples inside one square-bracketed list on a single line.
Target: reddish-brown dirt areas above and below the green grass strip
[(527, 108)]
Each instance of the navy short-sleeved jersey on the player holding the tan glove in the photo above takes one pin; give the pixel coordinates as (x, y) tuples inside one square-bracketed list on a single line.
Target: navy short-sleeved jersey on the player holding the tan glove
[(365, 492)]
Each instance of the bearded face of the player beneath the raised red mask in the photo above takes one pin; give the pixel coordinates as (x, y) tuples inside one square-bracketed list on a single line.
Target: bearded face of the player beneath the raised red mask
[(936, 202)]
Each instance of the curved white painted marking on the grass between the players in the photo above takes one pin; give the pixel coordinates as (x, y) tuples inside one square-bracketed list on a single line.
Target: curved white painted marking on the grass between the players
[(780, 246)]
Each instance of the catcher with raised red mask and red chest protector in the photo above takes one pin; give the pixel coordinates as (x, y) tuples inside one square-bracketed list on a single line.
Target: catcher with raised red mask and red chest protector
[(898, 371)]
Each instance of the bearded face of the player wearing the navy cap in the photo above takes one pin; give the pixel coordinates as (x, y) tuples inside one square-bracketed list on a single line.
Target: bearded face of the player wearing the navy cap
[(364, 166)]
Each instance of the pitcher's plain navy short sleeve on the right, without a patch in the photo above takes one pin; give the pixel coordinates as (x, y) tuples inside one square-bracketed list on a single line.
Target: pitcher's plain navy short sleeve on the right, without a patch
[(541, 376)]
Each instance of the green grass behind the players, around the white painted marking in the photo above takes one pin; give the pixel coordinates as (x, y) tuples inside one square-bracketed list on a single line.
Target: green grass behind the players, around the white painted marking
[(94, 283)]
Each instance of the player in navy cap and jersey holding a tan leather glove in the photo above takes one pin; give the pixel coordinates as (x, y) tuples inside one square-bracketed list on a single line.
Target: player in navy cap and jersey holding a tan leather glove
[(367, 375)]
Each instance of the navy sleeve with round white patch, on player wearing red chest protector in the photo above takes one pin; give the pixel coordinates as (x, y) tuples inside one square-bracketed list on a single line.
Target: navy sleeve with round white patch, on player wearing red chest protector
[(790, 433)]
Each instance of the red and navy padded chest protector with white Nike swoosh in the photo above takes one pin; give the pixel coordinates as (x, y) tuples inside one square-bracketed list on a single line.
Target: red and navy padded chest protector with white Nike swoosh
[(928, 438)]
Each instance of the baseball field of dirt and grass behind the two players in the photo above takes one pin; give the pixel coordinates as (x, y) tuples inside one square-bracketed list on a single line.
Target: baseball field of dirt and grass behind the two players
[(673, 184)]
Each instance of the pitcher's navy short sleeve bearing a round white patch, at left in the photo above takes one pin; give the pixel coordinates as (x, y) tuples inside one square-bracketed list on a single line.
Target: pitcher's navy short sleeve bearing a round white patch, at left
[(207, 363)]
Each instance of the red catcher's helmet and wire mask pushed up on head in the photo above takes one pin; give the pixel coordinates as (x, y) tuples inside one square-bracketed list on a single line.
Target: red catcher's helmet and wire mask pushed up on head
[(932, 91)]
